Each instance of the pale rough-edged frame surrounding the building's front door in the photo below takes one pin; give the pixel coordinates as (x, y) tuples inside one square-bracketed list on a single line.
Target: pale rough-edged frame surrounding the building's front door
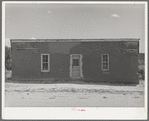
[(80, 65)]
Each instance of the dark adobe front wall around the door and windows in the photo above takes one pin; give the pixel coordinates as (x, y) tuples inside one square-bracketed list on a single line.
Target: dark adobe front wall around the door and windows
[(26, 63)]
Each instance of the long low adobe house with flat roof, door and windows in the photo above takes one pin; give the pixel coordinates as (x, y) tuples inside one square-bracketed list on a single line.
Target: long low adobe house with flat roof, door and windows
[(101, 60)]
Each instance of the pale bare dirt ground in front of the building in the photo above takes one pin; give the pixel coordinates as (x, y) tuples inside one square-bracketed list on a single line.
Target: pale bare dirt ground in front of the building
[(73, 95)]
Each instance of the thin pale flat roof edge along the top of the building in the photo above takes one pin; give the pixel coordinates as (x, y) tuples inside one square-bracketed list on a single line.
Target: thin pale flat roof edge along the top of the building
[(74, 40)]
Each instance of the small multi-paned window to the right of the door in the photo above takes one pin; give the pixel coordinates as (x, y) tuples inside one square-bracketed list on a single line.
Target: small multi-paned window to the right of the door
[(105, 62)]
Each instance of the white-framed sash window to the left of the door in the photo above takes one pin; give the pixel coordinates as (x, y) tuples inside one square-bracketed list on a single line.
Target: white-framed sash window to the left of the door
[(45, 63)]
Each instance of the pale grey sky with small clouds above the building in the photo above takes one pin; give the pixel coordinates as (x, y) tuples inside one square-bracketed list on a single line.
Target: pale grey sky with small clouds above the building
[(75, 21)]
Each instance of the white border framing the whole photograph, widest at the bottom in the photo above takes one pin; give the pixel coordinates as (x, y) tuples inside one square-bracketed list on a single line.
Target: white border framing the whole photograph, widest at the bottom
[(67, 113)]
